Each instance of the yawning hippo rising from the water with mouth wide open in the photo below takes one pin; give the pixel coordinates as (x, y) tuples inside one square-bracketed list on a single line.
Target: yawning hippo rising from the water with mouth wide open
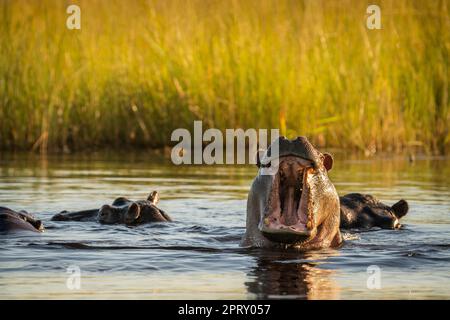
[(296, 206)]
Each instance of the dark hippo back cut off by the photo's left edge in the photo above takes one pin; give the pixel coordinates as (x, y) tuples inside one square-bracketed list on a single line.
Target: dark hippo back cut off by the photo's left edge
[(11, 220)]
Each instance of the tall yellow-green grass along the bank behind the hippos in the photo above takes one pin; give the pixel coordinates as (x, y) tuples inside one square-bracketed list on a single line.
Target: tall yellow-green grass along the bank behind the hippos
[(139, 69)]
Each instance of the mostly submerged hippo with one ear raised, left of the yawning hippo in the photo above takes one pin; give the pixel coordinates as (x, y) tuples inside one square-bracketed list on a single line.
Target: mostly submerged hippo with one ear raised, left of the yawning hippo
[(121, 211)]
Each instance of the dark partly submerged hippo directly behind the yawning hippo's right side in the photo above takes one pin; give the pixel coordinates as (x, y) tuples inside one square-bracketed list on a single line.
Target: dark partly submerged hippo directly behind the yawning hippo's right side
[(365, 211)]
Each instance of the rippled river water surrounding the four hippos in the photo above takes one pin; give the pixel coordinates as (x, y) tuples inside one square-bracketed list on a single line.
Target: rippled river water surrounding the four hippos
[(198, 256)]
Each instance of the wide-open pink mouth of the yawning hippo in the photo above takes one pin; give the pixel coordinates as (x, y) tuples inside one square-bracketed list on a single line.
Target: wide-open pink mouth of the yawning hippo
[(288, 217)]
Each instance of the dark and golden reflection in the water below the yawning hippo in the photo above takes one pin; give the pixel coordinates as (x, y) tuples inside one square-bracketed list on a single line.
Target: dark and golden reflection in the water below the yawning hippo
[(292, 275)]
